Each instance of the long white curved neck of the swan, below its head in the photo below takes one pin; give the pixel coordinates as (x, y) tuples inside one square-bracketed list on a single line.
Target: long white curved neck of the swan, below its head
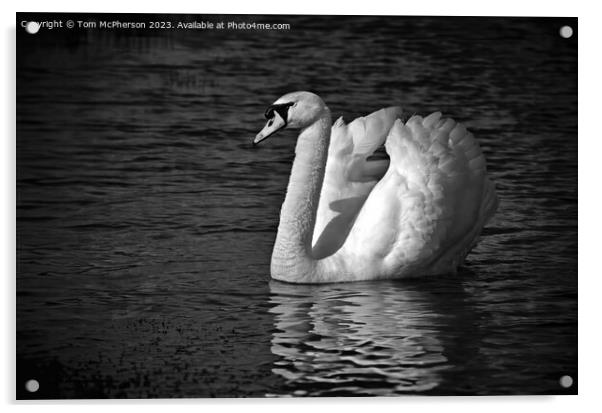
[(292, 260)]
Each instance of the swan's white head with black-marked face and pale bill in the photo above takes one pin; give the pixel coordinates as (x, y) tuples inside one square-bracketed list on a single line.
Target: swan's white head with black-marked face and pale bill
[(295, 110)]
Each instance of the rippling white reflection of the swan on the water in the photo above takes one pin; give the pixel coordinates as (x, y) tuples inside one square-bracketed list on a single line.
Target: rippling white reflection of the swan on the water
[(358, 338)]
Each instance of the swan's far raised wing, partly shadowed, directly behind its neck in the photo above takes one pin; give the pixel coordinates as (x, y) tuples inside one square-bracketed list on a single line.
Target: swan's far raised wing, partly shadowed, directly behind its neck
[(349, 176)]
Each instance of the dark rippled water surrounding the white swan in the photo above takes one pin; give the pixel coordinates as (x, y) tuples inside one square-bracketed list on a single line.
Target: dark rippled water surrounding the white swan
[(145, 221)]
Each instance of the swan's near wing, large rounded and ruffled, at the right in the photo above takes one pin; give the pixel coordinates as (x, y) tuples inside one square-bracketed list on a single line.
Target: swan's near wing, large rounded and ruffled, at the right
[(427, 211)]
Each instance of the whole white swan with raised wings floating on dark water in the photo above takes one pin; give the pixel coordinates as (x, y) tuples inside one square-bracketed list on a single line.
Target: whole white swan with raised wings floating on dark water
[(347, 216)]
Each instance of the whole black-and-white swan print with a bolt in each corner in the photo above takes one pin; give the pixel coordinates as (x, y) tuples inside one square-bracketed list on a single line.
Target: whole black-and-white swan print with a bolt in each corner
[(295, 206)]
